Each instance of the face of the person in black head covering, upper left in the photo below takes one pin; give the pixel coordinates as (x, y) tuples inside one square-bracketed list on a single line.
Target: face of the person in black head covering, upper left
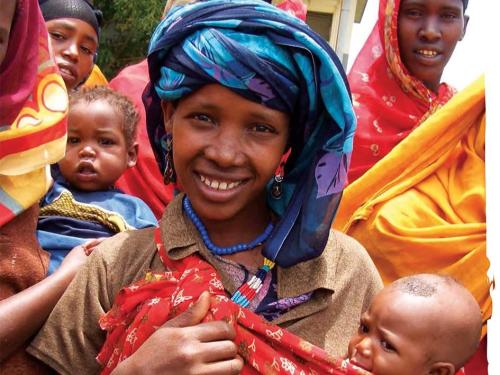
[(74, 43)]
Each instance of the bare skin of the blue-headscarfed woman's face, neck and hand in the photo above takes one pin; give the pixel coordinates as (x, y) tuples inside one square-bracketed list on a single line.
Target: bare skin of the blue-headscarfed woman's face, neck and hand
[(238, 147)]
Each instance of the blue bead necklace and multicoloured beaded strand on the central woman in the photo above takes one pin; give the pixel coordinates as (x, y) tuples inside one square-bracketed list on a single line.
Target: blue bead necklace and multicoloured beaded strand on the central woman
[(246, 292)]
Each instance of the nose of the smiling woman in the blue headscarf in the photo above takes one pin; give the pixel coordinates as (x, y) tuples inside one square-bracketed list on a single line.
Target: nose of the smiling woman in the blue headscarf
[(225, 149)]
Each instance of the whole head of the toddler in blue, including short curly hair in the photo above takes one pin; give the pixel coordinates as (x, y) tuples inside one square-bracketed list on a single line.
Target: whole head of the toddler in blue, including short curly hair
[(101, 144)]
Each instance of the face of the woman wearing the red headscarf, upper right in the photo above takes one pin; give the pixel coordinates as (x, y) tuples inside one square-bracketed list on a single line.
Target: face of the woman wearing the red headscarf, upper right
[(428, 31)]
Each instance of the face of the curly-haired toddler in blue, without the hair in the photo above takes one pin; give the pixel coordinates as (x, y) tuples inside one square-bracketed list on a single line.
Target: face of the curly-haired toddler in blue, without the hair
[(96, 153)]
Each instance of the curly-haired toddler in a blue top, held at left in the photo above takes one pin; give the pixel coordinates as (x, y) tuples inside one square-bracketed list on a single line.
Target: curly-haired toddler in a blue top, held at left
[(83, 204)]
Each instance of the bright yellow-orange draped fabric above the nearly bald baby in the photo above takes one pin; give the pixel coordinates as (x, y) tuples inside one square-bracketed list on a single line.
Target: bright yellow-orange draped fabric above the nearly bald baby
[(422, 207)]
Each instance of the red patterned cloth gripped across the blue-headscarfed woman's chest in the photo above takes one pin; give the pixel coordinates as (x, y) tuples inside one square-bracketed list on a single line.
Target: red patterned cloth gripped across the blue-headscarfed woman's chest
[(147, 304)]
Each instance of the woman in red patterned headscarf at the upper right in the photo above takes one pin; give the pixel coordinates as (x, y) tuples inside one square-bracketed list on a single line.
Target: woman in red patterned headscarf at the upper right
[(395, 80)]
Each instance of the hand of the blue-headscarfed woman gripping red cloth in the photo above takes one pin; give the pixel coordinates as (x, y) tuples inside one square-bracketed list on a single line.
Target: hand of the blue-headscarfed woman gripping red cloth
[(184, 345)]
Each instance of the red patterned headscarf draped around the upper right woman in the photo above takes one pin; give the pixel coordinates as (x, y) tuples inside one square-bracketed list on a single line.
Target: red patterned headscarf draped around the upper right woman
[(388, 101)]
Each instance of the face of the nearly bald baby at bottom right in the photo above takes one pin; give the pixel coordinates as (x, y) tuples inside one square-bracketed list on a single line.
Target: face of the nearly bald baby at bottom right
[(393, 338)]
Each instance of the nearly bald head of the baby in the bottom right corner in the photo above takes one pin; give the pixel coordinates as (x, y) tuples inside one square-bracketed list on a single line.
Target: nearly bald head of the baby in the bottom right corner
[(421, 324)]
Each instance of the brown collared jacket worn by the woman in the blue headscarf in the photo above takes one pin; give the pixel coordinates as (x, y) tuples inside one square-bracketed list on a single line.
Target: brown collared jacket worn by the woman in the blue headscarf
[(343, 279)]
